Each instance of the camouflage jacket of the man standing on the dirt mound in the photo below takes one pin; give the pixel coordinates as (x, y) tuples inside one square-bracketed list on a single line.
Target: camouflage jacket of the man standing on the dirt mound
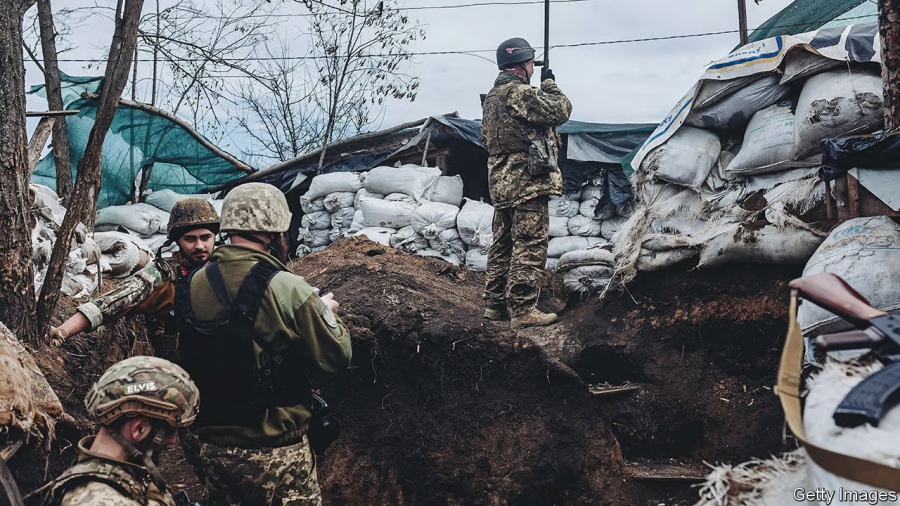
[(514, 114)]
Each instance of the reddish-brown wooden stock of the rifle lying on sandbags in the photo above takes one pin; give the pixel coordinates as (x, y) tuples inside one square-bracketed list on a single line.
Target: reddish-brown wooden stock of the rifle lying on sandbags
[(834, 294)]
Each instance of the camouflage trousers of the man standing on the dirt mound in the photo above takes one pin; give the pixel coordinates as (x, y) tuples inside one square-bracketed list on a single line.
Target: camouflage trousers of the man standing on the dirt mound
[(517, 255)]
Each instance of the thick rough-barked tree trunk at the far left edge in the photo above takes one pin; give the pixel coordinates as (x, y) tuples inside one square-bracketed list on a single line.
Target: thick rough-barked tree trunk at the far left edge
[(17, 305)]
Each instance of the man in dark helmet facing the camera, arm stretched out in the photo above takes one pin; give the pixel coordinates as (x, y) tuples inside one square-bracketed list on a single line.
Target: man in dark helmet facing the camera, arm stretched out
[(193, 225)]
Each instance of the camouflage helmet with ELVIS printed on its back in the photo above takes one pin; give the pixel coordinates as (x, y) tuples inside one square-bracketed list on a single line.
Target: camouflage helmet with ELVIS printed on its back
[(149, 386)]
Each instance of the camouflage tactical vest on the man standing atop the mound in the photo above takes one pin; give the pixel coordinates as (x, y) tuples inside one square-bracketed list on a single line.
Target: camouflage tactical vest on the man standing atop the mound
[(501, 133)]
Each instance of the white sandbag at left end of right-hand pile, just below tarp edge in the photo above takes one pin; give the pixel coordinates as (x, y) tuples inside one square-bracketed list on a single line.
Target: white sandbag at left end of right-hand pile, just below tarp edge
[(685, 159)]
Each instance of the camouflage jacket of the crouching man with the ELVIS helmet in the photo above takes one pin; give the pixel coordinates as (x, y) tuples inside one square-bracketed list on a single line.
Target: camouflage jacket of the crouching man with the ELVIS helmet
[(99, 480)]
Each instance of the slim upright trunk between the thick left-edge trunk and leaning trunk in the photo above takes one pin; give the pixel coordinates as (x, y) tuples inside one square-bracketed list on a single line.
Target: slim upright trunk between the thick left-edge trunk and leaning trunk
[(54, 100)]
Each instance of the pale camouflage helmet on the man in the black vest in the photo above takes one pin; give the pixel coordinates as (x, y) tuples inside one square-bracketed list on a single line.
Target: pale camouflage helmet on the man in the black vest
[(255, 207)]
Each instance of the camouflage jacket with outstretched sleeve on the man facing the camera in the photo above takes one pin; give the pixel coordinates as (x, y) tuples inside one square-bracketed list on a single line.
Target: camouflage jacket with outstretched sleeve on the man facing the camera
[(151, 290)]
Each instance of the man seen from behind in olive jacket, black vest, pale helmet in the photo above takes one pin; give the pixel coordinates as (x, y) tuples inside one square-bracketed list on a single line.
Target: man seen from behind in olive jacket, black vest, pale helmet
[(253, 335)]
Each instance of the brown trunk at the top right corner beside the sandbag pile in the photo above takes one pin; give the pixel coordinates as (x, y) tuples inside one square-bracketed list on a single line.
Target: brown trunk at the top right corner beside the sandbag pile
[(888, 15)]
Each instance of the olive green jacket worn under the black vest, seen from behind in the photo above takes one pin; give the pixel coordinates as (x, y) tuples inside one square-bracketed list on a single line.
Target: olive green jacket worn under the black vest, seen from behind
[(289, 311)]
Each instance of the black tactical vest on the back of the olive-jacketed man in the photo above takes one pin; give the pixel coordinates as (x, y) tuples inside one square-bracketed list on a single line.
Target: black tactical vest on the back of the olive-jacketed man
[(221, 359)]
